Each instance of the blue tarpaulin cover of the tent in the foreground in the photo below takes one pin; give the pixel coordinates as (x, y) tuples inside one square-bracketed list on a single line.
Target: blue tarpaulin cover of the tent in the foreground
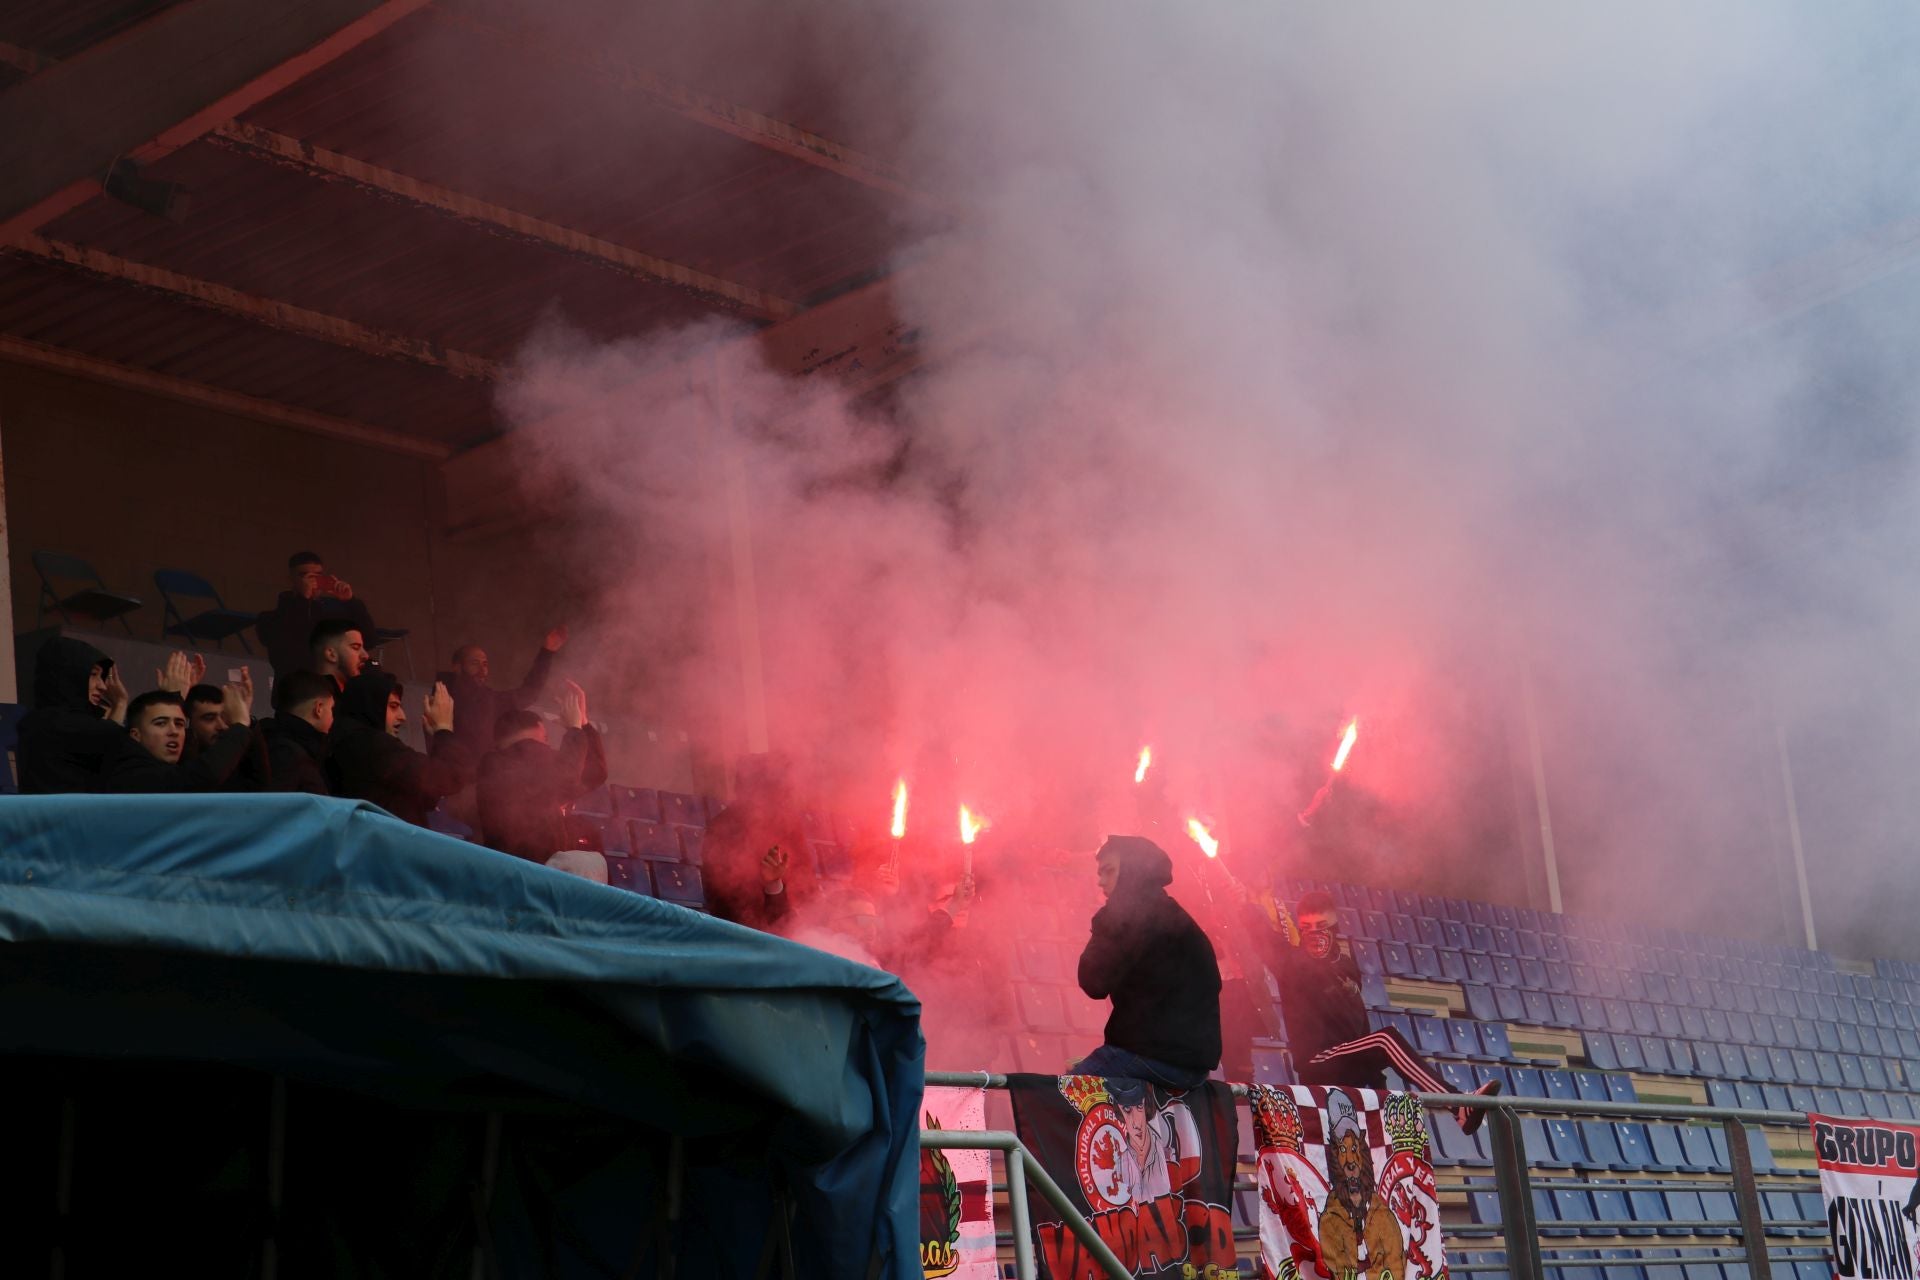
[(331, 945)]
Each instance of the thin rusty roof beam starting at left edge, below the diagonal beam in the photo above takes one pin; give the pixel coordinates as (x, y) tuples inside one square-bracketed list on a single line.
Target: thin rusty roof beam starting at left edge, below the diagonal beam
[(268, 312)]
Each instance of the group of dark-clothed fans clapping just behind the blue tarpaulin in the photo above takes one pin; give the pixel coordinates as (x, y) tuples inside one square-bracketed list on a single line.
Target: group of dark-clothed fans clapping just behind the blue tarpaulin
[(335, 728)]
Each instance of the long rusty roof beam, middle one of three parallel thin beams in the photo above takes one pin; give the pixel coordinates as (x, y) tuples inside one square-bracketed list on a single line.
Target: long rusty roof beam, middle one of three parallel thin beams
[(320, 162)]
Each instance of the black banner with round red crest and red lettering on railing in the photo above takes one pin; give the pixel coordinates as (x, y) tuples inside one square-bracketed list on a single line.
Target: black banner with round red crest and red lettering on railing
[(1149, 1168)]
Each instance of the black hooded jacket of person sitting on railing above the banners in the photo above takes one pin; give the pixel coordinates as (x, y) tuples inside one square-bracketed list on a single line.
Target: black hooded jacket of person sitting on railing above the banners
[(1155, 962)]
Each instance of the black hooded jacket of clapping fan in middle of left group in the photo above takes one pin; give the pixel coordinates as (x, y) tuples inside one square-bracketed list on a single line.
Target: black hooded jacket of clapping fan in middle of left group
[(366, 763)]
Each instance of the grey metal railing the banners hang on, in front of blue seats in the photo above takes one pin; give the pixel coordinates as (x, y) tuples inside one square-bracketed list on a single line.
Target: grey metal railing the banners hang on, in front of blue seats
[(1510, 1170)]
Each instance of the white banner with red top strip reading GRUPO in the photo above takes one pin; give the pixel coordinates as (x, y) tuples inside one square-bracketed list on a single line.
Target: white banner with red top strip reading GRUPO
[(1871, 1179)]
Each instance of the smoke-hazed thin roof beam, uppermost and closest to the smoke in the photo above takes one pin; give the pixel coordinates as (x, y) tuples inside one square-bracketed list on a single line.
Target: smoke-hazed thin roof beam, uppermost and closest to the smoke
[(702, 108)]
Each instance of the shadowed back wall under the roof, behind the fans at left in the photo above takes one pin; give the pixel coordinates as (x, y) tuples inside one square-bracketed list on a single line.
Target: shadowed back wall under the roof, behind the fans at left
[(137, 483)]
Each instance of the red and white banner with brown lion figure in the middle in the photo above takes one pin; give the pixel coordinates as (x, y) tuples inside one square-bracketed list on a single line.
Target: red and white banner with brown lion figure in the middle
[(1347, 1191)]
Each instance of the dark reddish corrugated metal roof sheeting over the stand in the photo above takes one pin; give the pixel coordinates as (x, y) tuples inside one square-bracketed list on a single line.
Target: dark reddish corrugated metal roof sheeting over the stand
[(443, 101)]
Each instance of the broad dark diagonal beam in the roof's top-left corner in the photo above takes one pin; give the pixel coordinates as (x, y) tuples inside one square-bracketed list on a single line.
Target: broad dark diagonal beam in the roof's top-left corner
[(160, 85)]
